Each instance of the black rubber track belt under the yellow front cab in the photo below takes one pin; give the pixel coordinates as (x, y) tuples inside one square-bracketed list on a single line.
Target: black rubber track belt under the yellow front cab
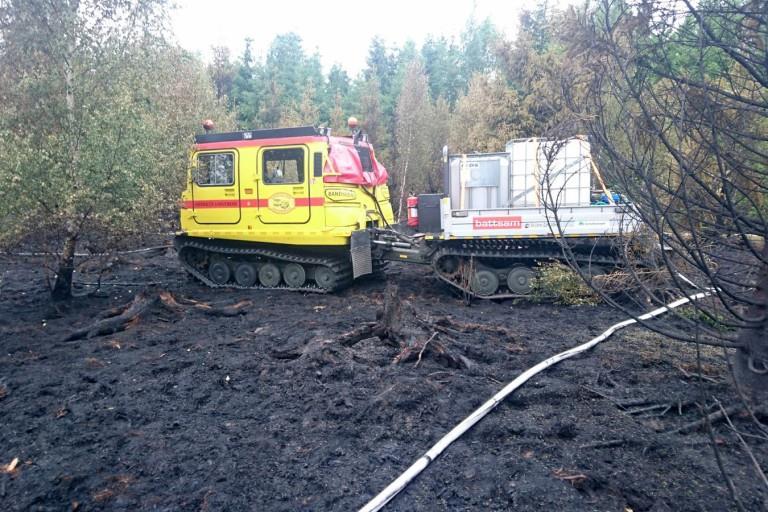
[(342, 269)]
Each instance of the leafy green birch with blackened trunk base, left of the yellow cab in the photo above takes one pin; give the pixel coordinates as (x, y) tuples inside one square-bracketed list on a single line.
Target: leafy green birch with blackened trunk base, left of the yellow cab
[(88, 121)]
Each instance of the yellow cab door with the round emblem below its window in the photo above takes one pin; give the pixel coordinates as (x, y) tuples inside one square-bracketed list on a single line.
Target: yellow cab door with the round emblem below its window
[(284, 185)]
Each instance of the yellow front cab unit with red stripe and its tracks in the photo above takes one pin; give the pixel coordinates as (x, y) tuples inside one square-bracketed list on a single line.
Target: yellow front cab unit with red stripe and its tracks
[(277, 208)]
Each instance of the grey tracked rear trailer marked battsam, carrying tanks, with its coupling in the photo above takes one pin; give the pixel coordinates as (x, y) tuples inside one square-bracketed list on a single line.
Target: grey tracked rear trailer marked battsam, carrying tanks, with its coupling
[(505, 213)]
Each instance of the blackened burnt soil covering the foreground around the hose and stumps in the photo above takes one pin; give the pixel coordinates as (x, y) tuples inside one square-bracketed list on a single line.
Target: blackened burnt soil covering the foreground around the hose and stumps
[(188, 411)]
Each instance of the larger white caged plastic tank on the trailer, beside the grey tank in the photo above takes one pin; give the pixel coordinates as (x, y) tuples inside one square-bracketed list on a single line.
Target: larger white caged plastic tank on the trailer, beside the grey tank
[(549, 172)]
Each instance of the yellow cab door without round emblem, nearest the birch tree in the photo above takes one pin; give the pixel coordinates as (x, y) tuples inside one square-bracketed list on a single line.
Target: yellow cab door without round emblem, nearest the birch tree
[(215, 192)]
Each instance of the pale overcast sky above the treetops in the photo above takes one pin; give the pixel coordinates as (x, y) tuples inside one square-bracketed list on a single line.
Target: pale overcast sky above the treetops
[(339, 31)]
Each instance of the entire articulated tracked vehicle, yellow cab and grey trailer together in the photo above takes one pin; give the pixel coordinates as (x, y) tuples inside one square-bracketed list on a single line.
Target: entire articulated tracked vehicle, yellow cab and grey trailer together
[(299, 209)]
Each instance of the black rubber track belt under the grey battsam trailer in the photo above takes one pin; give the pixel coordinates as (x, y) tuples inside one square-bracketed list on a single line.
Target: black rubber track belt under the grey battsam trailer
[(522, 250)]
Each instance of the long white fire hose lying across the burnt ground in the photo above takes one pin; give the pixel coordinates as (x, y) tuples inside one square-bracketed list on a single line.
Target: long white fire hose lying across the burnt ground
[(393, 489)]
